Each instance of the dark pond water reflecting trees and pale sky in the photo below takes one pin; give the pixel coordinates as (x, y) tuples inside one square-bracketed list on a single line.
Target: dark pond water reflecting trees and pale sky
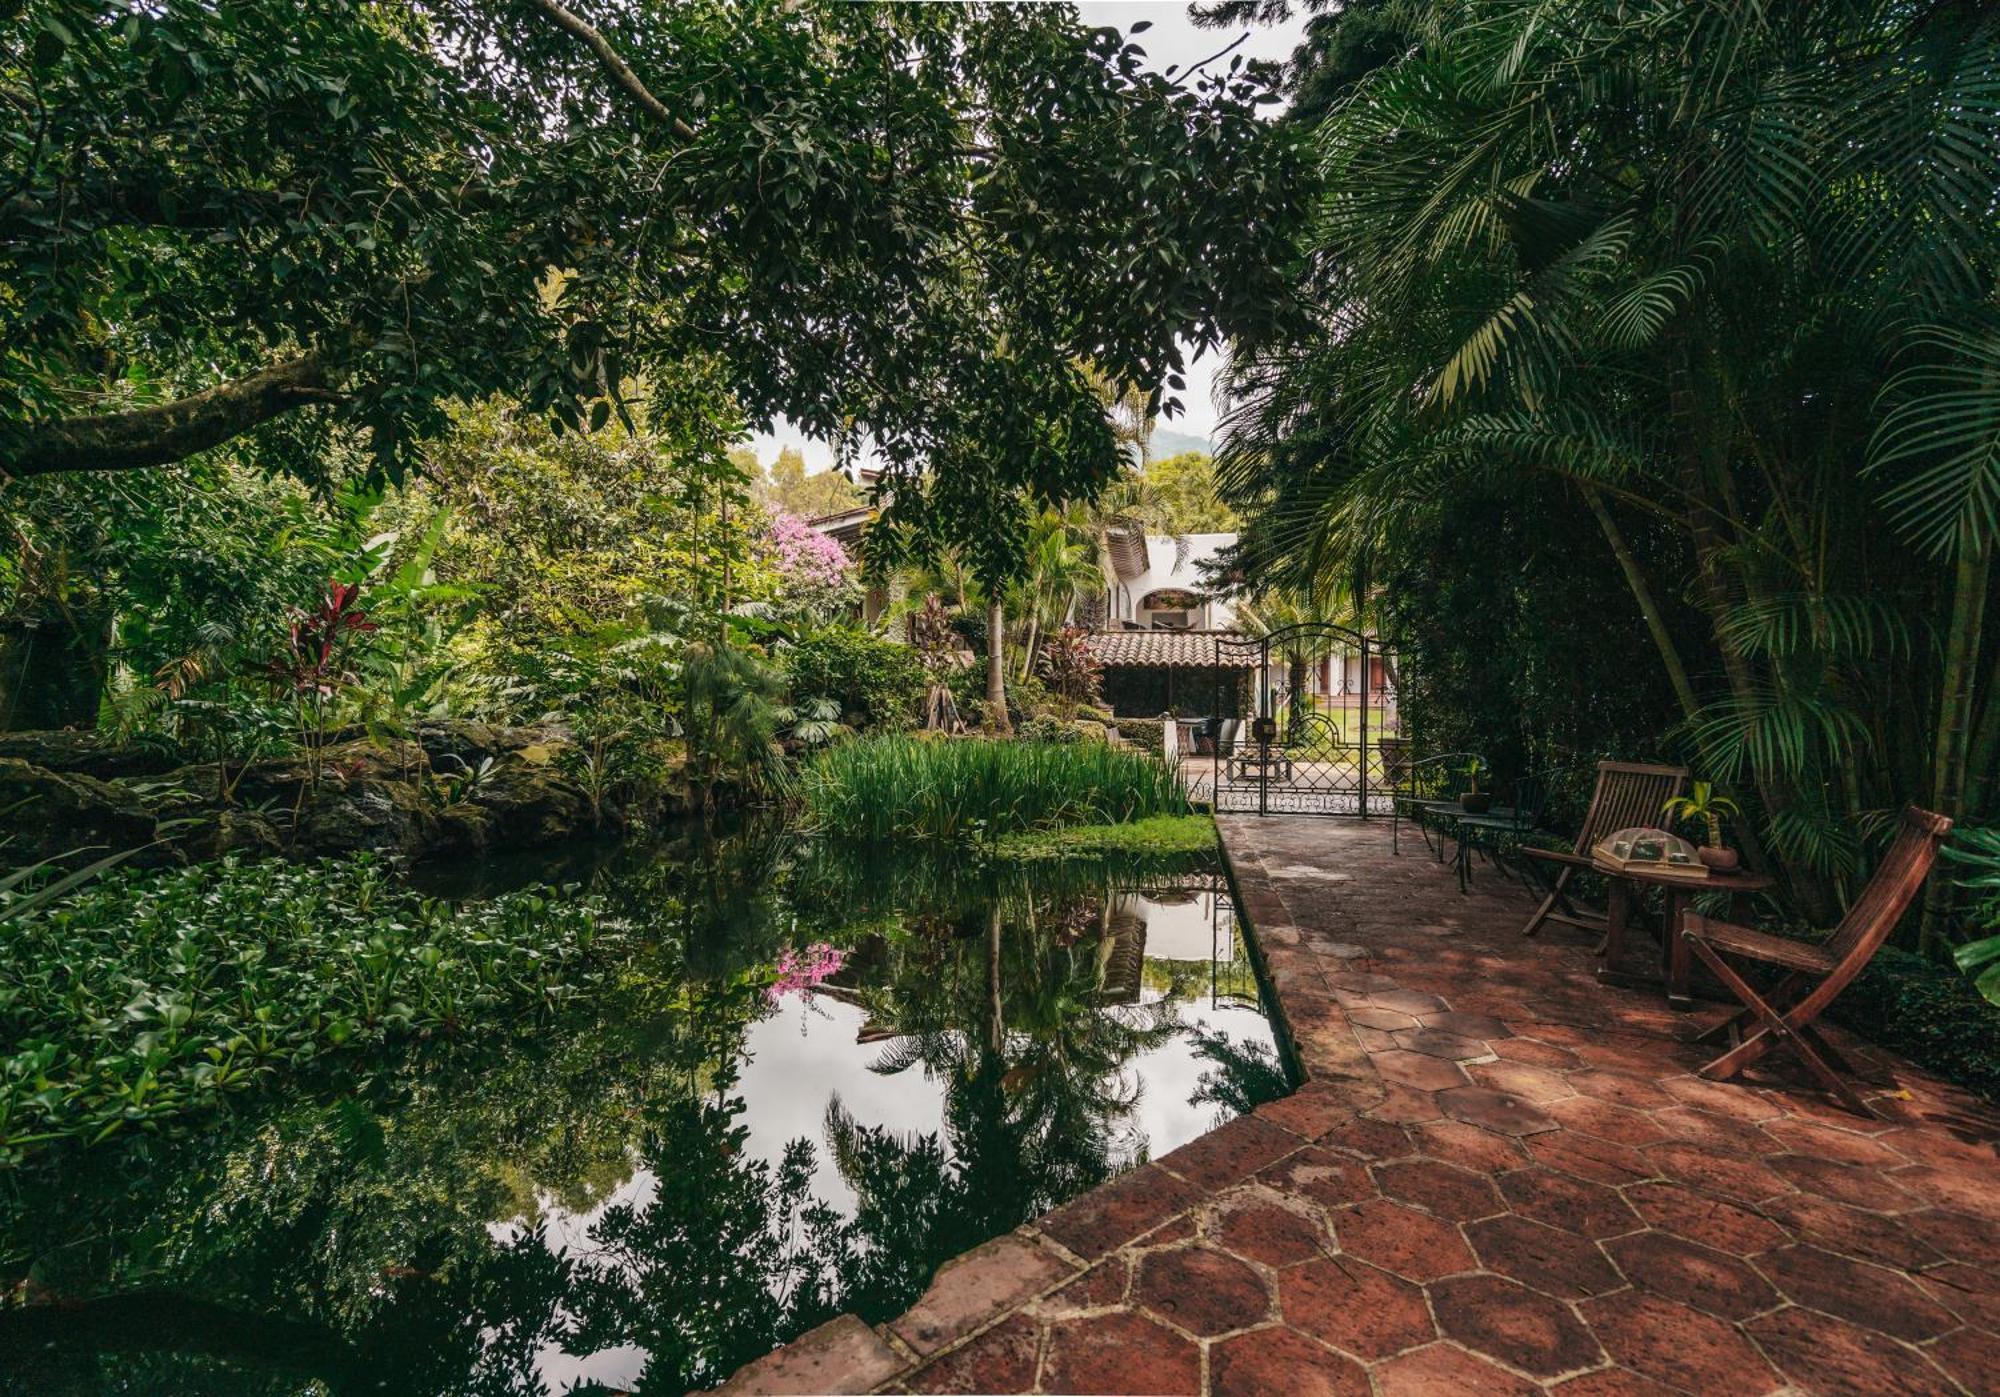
[(817, 1080)]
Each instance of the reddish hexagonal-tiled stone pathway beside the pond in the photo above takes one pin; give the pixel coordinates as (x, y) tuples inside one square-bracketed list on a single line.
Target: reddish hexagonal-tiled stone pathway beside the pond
[(1501, 1178)]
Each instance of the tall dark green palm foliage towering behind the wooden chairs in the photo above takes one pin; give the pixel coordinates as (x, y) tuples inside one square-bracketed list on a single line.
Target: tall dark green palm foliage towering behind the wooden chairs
[(1657, 361)]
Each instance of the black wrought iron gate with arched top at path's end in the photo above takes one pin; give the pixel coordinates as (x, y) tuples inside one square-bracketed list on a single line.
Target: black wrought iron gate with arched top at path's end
[(1319, 732)]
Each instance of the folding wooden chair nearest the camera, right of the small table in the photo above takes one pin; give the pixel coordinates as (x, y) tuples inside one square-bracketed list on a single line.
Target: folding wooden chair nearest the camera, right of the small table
[(1813, 974)]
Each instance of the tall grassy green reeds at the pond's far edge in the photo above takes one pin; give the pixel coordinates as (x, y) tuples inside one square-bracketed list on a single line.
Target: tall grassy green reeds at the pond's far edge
[(971, 790)]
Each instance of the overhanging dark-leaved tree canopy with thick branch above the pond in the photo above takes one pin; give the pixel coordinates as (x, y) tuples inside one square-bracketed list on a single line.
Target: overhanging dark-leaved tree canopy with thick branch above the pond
[(897, 221)]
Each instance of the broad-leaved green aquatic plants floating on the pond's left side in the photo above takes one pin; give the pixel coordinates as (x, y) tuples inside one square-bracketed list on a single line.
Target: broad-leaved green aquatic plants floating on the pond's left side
[(153, 994)]
